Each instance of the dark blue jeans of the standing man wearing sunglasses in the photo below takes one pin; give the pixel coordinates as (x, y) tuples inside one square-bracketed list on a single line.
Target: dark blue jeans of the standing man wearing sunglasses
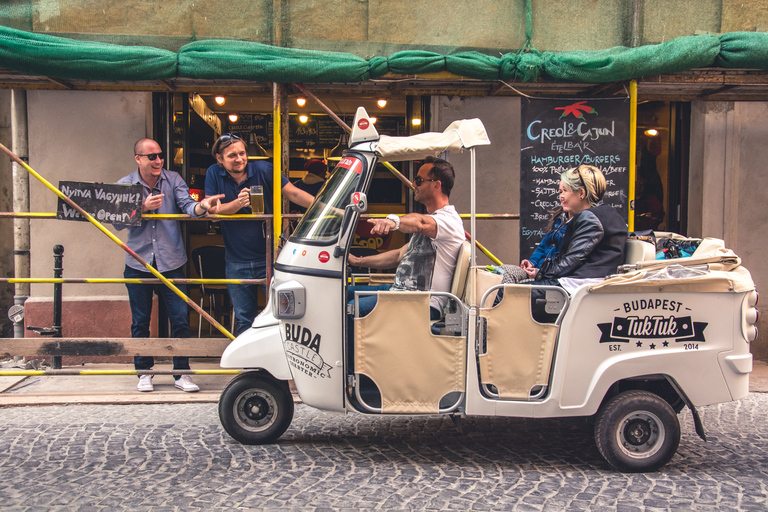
[(140, 299)]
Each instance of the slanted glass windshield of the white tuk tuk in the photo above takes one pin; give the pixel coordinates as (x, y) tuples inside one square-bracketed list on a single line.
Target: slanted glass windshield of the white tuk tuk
[(322, 221)]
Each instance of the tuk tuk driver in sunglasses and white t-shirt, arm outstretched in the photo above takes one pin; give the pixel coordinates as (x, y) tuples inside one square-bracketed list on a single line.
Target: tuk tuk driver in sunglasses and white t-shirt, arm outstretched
[(428, 261)]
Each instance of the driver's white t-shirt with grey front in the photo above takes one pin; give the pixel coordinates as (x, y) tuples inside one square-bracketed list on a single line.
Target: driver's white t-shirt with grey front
[(428, 264)]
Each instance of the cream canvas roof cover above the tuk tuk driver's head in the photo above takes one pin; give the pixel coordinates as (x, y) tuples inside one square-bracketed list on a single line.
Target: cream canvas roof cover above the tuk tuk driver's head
[(465, 133)]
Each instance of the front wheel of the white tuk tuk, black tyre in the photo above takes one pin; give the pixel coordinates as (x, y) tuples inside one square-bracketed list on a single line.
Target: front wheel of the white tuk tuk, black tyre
[(254, 409)]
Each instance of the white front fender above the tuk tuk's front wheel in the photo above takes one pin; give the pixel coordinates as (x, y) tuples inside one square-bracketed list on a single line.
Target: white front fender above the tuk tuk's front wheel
[(258, 347)]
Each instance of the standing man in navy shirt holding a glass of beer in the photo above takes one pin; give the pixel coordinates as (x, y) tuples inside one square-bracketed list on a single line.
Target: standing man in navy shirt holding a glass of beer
[(244, 241)]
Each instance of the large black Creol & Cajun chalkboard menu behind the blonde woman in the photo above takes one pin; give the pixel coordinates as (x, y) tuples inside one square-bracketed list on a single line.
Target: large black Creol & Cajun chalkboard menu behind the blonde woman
[(559, 134)]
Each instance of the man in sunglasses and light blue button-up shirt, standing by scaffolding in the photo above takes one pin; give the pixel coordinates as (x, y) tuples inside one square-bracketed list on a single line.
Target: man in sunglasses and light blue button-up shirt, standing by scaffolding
[(159, 242)]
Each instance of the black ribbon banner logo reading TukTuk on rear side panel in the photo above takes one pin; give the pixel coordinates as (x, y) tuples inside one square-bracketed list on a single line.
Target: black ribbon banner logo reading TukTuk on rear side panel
[(682, 329)]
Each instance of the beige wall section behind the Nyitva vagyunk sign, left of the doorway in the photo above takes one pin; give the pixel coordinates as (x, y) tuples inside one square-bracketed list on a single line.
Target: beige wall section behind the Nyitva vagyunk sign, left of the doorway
[(80, 136)]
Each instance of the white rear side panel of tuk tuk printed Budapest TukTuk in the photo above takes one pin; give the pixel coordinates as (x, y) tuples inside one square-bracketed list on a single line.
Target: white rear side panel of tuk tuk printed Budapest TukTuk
[(605, 338)]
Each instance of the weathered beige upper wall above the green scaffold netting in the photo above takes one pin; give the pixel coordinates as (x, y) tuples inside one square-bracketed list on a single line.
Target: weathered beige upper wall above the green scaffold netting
[(380, 27)]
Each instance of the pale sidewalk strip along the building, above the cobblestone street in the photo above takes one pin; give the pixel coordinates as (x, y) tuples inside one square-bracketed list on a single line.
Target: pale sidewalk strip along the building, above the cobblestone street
[(121, 389)]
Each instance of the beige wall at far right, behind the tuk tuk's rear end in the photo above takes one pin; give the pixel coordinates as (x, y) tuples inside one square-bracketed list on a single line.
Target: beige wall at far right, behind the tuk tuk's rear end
[(727, 195)]
